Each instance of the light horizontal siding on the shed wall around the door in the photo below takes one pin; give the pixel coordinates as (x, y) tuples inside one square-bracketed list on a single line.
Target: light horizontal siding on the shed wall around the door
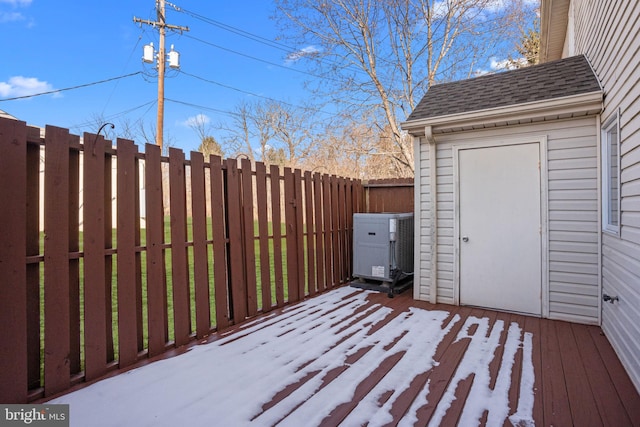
[(573, 214)]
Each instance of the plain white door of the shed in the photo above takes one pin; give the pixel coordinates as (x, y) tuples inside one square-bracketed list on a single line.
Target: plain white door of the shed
[(500, 227)]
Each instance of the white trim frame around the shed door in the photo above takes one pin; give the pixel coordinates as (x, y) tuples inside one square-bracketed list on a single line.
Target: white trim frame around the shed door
[(544, 207)]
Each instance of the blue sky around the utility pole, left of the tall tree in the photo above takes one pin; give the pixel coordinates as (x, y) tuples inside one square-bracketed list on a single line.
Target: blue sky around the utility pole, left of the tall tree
[(53, 45)]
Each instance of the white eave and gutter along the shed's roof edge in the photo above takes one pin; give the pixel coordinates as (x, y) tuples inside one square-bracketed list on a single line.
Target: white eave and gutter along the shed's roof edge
[(550, 109)]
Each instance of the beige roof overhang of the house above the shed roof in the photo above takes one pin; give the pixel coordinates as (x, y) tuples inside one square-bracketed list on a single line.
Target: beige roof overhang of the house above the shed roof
[(554, 18)]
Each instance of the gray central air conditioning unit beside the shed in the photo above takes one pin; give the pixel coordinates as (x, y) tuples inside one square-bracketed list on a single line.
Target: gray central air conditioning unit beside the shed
[(383, 250)]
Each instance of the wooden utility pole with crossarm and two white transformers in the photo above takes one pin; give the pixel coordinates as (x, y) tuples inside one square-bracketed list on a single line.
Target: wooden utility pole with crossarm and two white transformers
[(162, 26)]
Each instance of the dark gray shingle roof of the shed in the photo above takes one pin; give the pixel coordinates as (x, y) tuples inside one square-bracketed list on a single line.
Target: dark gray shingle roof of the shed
[(556, 79)]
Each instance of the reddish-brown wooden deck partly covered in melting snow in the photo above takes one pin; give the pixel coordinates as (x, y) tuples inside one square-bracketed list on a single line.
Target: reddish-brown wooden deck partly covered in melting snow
[(351, 357)]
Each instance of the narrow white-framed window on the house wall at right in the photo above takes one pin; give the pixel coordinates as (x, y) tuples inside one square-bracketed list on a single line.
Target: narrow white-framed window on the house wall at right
[(611, 175)]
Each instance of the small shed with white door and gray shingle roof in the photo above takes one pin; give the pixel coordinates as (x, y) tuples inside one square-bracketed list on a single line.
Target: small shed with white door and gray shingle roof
[(506, 191)]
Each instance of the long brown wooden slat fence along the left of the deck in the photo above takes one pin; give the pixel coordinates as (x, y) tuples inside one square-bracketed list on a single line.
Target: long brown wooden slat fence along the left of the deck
[(91, 294)]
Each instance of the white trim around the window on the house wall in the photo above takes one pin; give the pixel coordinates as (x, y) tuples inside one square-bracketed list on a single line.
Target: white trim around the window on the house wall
[(607, 225)]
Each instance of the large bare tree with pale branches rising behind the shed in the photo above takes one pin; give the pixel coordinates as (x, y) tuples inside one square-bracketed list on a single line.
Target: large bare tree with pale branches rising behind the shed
[(382, 55)]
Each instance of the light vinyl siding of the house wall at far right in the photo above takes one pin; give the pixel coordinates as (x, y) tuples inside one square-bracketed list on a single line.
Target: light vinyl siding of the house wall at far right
[(608, 34)]
